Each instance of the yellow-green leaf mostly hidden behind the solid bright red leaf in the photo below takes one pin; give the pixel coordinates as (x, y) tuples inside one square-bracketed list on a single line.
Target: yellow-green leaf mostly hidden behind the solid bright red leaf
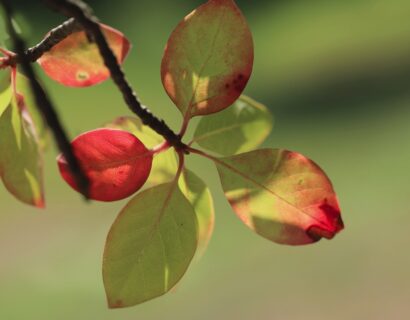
[(164, 166)]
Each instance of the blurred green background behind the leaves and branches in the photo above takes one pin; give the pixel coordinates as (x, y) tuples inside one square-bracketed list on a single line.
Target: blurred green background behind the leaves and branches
[(336, 74)]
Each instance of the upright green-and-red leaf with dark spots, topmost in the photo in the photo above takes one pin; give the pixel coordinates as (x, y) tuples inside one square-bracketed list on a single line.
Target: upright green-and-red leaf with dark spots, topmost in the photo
[(208, 59)]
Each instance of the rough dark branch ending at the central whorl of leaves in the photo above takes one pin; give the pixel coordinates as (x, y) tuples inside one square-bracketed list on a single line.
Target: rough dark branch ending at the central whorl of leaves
[(82, 13)]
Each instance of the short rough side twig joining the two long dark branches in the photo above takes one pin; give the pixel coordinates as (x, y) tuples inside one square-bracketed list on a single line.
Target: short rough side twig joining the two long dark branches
[(55, 36)]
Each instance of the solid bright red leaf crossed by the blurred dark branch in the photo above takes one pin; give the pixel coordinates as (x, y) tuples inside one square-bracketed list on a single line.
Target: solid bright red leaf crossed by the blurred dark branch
[(116, 163)]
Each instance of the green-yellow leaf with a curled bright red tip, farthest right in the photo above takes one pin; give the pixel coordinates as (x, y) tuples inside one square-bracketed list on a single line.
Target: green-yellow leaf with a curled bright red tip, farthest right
[(281, 195)]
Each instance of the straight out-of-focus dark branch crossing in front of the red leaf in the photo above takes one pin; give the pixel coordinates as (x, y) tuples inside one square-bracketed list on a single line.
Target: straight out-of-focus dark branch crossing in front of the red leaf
[(45, 106)]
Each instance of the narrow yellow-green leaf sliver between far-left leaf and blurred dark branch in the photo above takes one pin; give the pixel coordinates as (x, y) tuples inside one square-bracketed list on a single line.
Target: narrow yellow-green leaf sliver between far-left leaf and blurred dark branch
[(23, 87)]
